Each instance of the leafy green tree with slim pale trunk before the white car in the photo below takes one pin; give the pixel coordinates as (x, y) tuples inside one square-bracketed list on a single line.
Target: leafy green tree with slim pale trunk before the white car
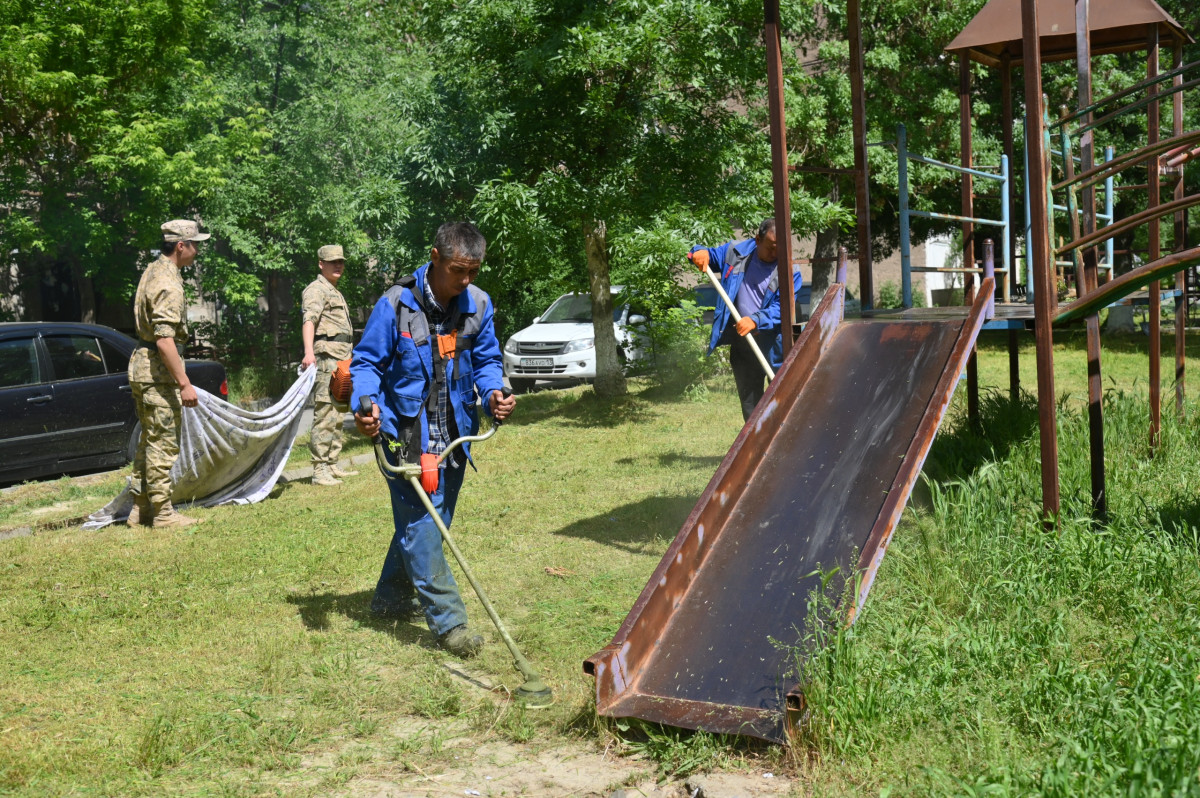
[(577, 130)]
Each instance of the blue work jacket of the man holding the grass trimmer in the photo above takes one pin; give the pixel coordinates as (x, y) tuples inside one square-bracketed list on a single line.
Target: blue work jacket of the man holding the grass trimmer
[(397, 369)]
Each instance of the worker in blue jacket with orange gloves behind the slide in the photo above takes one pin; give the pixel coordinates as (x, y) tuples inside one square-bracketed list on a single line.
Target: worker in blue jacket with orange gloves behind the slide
[(749, 275)]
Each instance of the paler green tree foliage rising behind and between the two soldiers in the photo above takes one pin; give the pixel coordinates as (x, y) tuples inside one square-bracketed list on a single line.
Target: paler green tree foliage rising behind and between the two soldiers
[(337, 89)]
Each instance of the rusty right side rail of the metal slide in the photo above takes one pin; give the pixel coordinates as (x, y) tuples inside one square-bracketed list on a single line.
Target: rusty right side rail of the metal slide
[(915, 459)]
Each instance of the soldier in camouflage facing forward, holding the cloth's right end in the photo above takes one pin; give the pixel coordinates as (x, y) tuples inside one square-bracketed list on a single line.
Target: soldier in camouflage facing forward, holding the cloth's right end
[(328, 338)]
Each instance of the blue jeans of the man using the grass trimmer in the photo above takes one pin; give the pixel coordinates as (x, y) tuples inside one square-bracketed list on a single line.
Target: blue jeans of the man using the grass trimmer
[(417, 563)]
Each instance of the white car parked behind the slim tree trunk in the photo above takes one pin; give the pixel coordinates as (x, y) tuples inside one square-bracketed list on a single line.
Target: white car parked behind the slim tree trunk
[(561, 344)]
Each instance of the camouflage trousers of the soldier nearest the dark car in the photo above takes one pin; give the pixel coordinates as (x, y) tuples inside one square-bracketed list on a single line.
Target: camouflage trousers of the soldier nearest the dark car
[(160, 412)]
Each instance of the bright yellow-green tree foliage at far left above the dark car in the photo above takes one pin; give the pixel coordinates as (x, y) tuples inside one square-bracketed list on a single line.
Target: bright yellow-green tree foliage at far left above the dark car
[(110, 125)]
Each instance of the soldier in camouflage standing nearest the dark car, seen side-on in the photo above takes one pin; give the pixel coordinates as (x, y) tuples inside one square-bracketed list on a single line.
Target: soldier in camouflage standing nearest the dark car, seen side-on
[(158, 379)]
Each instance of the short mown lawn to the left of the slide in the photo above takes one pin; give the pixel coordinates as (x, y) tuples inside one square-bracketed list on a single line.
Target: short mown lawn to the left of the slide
[(241, 657)]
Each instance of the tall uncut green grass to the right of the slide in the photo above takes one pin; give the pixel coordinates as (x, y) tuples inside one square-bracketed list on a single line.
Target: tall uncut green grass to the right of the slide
[(998, 658)]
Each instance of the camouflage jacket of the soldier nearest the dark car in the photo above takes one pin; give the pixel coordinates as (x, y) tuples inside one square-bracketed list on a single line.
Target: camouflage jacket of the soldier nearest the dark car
[(160, 311)]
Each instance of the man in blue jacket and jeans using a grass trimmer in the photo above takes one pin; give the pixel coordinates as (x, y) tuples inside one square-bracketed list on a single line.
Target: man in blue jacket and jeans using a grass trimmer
[(429, 345)]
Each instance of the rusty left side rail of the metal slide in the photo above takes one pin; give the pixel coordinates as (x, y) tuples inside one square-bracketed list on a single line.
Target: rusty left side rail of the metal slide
[(615, 665)]
